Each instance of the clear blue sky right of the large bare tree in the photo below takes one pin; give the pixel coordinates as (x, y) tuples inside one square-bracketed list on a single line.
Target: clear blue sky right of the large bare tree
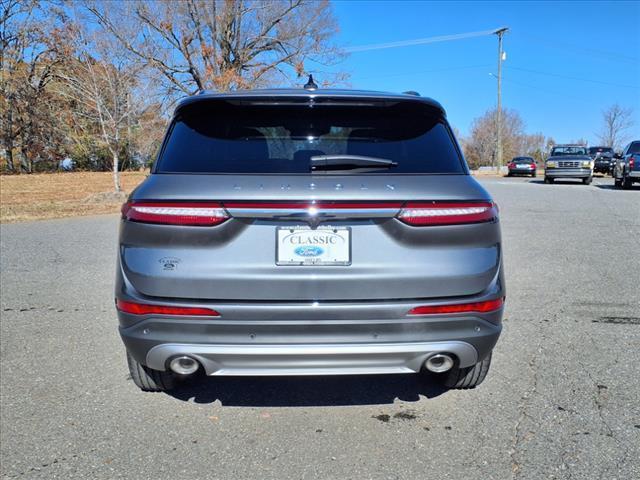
[(566, 61)]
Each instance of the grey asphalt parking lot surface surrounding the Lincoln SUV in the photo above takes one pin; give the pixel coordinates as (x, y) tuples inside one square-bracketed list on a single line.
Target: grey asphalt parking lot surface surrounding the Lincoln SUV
[(561, 400)]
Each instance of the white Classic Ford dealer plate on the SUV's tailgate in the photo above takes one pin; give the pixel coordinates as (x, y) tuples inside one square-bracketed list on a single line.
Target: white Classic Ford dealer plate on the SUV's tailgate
[(324, 245)]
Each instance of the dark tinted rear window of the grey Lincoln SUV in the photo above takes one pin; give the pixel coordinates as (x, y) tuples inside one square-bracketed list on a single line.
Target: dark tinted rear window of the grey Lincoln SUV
[(220, 137)]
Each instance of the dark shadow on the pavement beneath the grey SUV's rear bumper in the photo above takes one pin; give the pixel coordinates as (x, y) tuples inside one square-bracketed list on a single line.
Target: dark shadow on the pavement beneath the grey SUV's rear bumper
[(308, 391)]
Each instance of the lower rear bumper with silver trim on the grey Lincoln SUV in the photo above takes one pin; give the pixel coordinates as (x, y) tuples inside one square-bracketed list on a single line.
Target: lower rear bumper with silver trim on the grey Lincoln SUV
[(320, 344)]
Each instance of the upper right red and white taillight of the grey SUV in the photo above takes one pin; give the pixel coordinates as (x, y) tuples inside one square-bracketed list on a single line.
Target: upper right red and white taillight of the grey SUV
[(447, 213)]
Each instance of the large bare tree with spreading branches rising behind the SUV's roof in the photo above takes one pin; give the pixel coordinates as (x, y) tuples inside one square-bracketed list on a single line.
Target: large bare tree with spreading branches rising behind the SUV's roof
[(223, 44)]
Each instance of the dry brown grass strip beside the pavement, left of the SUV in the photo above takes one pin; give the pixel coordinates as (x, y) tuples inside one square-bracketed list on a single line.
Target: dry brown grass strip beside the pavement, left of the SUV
[(57, 195)]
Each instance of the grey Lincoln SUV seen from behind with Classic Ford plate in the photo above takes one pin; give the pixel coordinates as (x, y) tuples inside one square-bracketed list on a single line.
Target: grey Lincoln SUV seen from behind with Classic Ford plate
[(309, 232)]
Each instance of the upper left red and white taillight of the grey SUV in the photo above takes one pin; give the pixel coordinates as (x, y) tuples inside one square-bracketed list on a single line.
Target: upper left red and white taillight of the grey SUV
[(205, 214)]
